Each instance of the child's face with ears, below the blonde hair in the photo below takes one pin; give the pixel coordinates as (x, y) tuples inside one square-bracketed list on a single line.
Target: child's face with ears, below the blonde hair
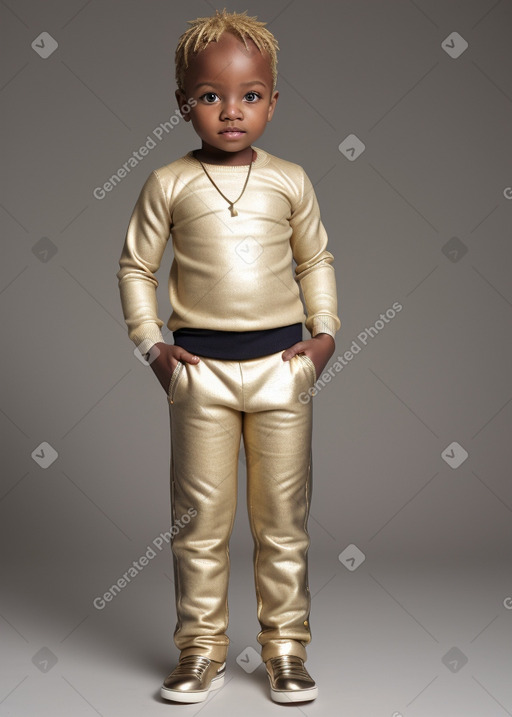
[(233, 90)]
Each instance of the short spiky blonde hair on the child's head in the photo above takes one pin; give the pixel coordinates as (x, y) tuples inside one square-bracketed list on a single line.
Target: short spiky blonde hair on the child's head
[(208, 29)]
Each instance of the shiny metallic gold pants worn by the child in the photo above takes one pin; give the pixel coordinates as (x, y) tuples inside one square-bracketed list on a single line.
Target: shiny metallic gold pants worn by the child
[(212, 405)]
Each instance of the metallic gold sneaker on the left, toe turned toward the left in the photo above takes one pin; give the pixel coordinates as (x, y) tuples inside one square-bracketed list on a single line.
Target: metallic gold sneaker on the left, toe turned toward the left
[(193, 678)]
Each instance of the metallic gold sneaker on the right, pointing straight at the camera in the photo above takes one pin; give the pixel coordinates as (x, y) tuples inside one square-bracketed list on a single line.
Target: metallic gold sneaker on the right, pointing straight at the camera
[(289, 680)]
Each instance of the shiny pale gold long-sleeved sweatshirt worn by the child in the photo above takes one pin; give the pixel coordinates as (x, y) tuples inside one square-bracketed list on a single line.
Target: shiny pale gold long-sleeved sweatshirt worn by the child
[(228, 273)]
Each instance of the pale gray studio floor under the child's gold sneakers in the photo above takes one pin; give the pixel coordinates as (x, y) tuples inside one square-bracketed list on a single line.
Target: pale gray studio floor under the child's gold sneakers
[(388, 640)]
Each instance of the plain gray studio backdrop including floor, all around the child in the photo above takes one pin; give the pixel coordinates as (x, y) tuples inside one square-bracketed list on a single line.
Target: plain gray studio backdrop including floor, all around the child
[(435, 176)]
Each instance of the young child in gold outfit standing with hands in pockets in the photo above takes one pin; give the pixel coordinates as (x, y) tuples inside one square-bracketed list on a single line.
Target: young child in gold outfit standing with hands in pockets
[(237, 216)]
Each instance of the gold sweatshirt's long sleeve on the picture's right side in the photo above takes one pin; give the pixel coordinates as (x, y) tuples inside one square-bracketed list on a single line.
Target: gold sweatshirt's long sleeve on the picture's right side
[(314, 270)]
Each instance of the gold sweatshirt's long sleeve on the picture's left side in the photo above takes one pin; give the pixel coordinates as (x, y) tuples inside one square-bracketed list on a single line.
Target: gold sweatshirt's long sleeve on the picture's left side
[(145, 242)]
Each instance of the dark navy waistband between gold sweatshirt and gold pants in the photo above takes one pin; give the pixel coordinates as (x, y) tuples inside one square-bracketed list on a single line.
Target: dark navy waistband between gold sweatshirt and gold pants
[(238, 345)]
